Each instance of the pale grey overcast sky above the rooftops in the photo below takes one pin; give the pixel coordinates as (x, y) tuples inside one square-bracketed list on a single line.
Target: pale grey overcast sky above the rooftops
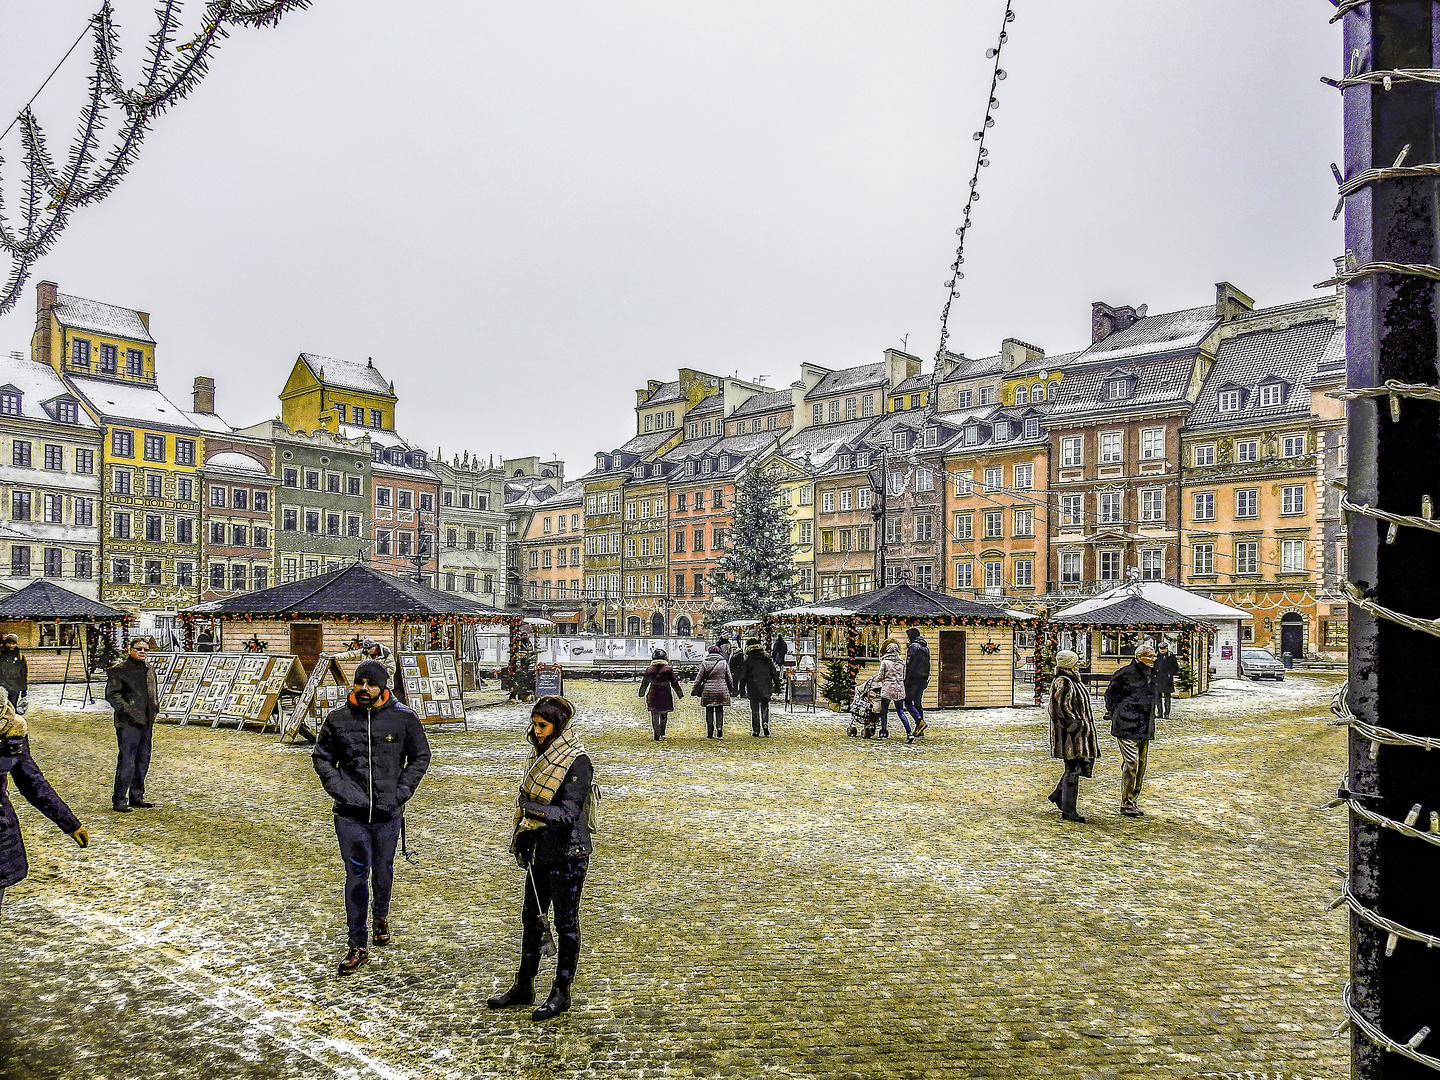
[(526, 211)]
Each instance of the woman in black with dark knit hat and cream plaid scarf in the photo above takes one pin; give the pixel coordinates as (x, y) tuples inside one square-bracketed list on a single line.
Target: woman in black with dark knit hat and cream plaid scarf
[(552, 843)]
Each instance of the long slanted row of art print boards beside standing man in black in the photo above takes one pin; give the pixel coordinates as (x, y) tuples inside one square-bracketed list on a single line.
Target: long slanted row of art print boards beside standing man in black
[(225, 688)]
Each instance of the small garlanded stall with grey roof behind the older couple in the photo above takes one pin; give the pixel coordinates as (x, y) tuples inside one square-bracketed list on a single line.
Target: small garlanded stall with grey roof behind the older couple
[(1107, 637)]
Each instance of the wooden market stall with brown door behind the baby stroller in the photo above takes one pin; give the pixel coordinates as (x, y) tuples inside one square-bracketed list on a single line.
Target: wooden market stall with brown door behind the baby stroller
[(973, 646)]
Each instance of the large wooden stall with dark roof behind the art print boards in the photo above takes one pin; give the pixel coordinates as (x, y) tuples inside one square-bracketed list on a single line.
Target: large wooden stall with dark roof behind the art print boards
[(330, 614)]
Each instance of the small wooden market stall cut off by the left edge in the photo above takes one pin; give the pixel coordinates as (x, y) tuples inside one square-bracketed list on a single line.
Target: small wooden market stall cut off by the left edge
[(61, 633)]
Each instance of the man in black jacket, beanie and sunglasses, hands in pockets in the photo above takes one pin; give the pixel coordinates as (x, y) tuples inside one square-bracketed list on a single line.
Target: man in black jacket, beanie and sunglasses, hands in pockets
[(371, 755)]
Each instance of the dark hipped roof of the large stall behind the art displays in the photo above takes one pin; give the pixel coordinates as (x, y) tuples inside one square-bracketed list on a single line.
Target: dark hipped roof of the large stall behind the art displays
[(355, 590)]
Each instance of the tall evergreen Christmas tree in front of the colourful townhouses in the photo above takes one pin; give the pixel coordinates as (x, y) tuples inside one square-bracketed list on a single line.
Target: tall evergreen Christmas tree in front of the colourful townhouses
[(757, 574)]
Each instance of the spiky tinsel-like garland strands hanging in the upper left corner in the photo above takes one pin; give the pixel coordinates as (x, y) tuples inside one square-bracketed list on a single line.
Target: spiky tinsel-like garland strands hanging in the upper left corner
[(53, 194)]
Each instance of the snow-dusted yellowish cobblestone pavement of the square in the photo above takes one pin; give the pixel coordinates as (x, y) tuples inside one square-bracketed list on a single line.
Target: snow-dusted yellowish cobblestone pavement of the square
[(807, 906)]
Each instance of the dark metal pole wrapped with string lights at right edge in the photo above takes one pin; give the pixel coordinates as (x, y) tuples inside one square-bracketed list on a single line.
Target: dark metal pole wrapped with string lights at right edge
[(1392, 787)]
